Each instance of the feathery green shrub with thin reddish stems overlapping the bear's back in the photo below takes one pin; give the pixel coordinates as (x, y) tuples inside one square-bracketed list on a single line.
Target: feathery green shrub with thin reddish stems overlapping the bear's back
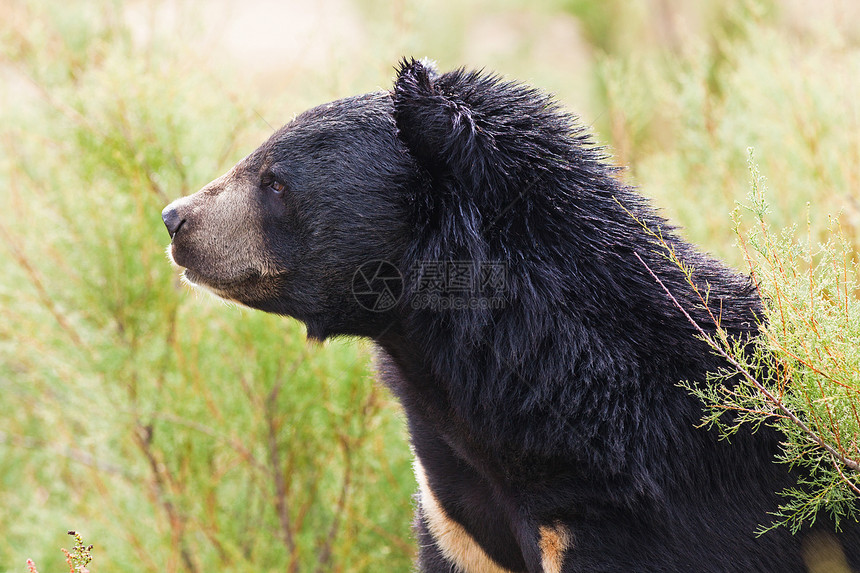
[(802, 373)]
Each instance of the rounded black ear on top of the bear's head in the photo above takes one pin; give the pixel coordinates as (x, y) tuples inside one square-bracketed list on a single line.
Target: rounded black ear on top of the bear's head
[(437, 124)]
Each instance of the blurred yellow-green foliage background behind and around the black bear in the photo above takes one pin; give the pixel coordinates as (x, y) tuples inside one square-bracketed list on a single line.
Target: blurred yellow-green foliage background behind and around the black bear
[(180, 434)]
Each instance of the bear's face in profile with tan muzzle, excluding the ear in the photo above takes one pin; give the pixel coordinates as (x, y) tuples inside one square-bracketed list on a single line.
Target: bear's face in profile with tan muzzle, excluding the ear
[(287, 227)]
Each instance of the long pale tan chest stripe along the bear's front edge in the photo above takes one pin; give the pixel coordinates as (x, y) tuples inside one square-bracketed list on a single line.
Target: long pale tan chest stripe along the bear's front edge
[(455, 543)]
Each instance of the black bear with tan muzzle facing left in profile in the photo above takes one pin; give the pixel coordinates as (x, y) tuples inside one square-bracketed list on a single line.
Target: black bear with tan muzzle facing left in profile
[(470, 228)]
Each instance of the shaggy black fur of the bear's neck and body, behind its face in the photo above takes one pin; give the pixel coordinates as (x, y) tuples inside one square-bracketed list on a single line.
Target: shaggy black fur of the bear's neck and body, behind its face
[(564, 402)]
